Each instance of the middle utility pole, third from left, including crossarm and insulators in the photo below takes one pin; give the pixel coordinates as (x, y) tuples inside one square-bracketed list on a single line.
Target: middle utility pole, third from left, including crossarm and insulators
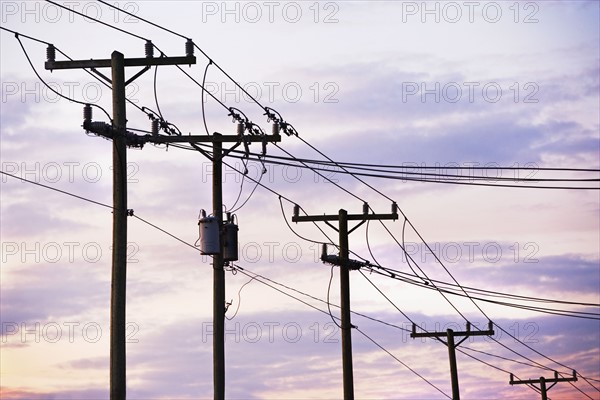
[(343, 217)]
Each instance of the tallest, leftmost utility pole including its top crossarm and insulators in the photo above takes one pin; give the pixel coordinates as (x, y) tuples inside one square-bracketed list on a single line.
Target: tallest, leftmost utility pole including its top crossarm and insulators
[(118, 133)]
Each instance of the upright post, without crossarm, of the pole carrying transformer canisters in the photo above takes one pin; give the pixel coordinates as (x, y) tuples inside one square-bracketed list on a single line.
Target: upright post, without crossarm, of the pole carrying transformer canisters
[(218, 277)]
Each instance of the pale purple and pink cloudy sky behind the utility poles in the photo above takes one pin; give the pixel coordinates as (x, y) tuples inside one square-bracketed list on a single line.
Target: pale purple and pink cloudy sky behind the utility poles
[(402, 83)]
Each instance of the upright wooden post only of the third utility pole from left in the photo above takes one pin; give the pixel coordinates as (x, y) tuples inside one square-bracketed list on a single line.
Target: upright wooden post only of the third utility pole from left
[(345, 307)]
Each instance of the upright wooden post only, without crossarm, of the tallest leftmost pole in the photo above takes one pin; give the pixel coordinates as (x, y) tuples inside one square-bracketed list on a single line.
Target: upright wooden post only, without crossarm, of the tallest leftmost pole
[(119, 256)]
